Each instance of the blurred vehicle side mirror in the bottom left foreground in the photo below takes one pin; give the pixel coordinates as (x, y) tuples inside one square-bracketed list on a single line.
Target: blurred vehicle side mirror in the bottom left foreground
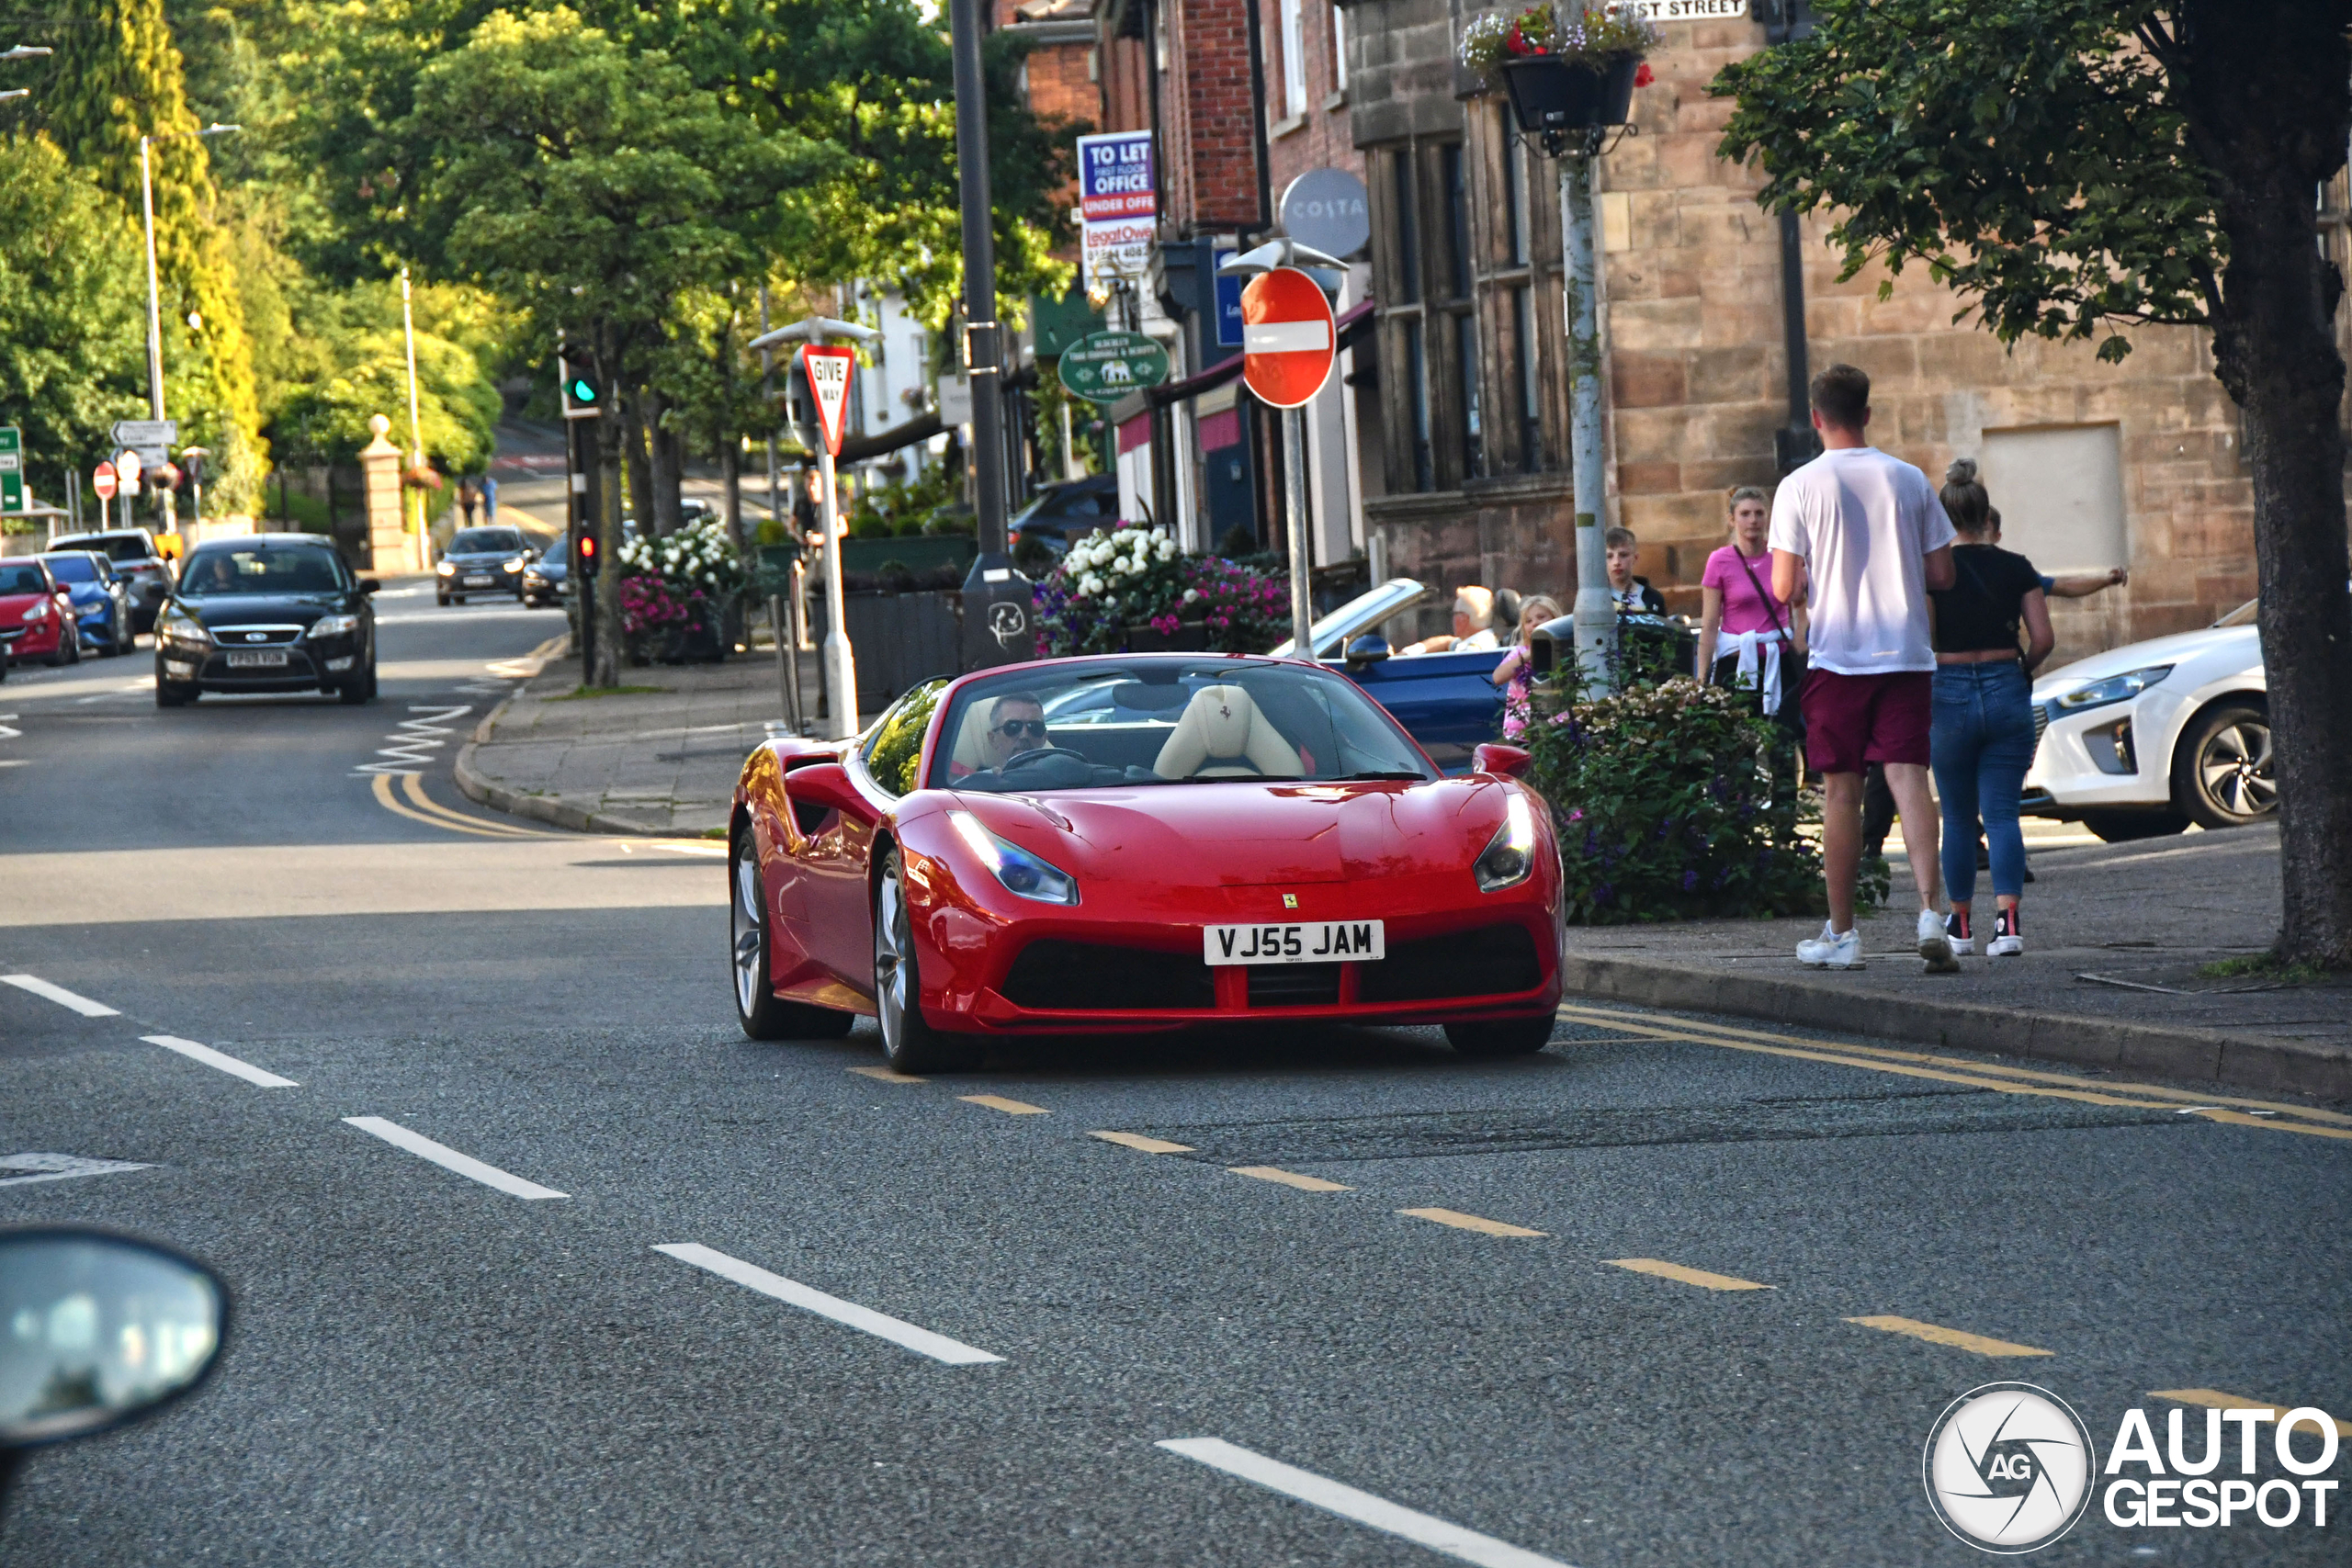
[(98, 1329)]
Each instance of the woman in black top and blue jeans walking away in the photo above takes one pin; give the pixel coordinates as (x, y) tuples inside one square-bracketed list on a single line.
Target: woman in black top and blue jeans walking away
[(1984, 735)]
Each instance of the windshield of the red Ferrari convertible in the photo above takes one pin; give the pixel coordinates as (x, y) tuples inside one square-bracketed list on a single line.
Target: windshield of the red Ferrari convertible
[(1111, 723)]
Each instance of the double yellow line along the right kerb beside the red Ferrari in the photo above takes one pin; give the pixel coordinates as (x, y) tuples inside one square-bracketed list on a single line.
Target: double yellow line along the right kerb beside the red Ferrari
[(2273, 1115)]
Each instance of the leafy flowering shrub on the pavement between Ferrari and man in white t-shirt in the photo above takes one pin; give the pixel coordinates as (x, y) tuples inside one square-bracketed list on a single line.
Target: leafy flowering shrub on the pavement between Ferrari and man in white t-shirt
[(1676, 803)]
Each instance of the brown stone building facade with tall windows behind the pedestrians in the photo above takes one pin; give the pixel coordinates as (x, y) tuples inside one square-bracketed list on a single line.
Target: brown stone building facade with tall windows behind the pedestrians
[(2094, 464)]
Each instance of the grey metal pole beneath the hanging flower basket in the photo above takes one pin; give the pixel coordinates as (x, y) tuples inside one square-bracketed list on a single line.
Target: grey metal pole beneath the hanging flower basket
[(1596, 617)]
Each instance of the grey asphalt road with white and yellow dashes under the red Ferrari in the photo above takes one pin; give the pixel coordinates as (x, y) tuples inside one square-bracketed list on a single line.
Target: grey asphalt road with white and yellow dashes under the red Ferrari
[(540, 1261)]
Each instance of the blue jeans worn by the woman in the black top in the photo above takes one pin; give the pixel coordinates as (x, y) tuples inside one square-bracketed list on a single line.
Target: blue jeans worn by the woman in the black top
[(1982, 744)]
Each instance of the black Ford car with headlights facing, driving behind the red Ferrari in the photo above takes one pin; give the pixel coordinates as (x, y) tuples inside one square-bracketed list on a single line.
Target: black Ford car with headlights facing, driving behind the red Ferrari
[(274, 612)]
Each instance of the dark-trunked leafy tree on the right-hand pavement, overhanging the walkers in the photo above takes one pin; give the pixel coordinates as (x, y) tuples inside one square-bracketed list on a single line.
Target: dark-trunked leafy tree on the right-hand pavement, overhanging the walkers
[(2073, 168)]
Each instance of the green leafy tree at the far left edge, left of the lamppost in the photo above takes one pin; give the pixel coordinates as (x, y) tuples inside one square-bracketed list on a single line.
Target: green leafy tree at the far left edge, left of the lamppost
[(72, 309)]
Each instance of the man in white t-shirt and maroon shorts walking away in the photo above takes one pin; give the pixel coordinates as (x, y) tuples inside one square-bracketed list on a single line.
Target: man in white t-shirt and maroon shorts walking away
[(1864, 540)]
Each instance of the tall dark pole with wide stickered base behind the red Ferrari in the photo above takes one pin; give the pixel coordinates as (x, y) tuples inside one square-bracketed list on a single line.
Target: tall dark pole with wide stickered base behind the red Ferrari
[(998, 615)]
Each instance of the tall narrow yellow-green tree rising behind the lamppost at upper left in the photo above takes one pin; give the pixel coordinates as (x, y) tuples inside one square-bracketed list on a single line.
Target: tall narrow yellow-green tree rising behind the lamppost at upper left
[(116, 79)]
